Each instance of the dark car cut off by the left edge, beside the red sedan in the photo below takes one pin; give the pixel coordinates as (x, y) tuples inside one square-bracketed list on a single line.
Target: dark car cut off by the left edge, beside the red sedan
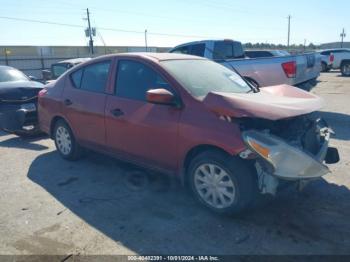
[(18, 102)]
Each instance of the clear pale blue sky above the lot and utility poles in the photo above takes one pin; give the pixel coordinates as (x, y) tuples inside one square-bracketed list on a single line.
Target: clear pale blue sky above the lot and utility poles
[(171, 22)]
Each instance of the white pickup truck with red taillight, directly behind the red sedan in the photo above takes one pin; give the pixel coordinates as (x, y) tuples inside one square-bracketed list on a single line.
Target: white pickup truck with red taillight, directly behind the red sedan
[(292, 70)]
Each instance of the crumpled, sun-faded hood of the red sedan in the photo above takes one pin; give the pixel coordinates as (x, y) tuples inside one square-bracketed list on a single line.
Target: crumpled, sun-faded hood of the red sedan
[(273, 103)]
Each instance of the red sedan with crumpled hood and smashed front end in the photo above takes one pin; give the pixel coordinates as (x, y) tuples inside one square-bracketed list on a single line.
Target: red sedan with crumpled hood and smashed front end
[(193, 118)]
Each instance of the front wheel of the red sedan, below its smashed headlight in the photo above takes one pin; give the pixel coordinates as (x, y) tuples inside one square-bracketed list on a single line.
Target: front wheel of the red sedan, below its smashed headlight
[(238, 181)]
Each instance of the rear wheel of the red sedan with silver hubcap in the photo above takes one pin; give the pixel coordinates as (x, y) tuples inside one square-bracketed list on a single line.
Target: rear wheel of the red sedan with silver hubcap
[(65, 141)]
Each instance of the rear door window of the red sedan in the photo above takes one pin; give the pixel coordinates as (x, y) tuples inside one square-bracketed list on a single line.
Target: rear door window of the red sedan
[(93, 77)]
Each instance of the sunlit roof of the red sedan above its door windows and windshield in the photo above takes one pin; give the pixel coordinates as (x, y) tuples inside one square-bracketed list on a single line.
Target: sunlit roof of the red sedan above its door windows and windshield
[(157, 57)]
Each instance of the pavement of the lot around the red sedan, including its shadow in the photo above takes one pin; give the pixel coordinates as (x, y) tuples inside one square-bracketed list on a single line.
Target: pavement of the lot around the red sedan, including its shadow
[(51, 206)]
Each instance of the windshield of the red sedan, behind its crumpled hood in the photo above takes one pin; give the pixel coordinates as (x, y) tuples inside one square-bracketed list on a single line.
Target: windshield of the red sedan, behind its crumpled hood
[(200, 77)]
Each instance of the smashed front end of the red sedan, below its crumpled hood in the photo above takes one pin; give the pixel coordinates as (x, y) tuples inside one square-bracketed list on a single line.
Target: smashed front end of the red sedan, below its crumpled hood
[(291, 149)]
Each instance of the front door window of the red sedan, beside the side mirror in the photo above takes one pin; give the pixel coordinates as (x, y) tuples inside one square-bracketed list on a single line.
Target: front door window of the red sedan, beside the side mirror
[(134, 79)]
